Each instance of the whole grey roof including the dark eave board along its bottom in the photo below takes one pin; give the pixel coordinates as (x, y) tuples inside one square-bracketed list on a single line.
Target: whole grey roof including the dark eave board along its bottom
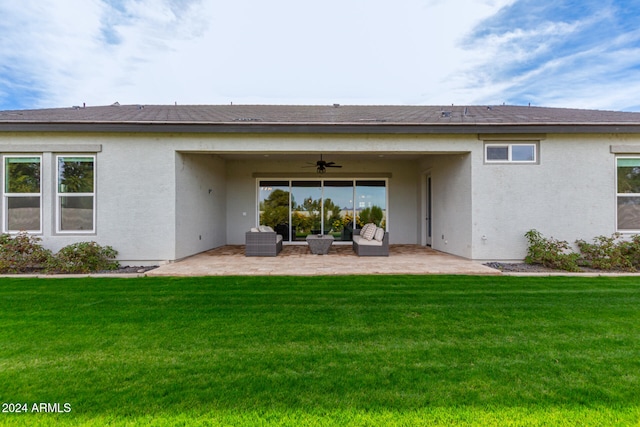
[(300, 118)]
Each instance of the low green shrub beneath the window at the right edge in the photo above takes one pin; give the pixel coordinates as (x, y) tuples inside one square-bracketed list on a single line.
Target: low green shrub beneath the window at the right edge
[(607, 253)]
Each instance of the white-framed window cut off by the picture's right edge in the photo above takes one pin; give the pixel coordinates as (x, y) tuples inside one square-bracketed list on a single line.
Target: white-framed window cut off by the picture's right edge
[(628, 194)]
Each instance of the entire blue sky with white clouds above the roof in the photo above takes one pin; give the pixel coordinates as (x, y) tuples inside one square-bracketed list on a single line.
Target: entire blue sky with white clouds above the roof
[(560, 53)]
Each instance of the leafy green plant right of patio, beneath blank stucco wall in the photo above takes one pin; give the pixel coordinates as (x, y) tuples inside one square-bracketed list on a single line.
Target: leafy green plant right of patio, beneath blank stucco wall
[(550, 252)]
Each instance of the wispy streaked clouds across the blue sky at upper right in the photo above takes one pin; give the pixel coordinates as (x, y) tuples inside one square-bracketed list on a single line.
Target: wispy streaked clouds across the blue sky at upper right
[(566, 53)]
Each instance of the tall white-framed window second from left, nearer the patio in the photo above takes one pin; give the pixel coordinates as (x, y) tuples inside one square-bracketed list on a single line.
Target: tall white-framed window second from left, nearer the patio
[(75, 194)]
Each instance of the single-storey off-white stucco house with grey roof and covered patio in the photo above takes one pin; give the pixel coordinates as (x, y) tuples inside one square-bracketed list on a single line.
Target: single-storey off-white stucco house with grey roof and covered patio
[(160, 183)]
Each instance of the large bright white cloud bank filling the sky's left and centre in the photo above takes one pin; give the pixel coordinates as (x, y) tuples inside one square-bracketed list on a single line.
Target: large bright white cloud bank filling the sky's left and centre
[(191, 51)]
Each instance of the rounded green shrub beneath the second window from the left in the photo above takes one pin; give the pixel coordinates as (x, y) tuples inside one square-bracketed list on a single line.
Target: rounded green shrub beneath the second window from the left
[(84, 257)]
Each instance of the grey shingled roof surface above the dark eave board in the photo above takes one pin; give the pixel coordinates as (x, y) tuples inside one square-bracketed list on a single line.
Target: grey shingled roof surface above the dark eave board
[(297, 114)]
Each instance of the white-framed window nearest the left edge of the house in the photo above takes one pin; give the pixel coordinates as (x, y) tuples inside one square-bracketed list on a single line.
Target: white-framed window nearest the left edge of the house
[(22, 194)]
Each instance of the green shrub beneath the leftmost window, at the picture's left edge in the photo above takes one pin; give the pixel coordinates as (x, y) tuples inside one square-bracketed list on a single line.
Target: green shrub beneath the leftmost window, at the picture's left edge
[(22, 253)]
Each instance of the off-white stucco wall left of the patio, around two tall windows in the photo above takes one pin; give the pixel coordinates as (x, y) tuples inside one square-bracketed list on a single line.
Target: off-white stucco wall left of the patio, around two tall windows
[(135, 192)]
